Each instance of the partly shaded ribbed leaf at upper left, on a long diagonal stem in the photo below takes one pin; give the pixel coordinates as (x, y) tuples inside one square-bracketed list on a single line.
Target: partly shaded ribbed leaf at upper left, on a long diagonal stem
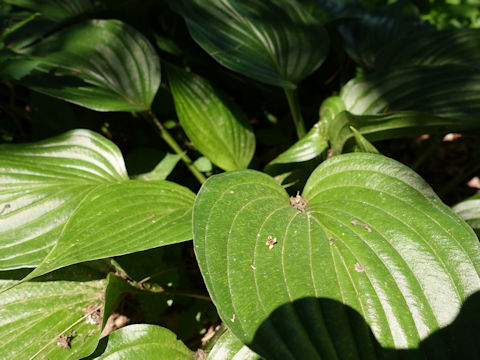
[(104, 65)]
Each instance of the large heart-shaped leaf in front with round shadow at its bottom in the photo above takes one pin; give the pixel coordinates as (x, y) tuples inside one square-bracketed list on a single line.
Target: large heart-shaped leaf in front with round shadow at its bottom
[(373, 237)]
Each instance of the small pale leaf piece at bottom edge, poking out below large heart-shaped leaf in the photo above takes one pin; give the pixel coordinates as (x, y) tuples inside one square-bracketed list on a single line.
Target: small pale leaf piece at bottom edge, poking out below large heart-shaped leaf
[(229, 347)]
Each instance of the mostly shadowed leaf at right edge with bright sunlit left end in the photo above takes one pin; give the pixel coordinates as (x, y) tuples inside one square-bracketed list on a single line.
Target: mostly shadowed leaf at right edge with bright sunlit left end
[(448, 91)]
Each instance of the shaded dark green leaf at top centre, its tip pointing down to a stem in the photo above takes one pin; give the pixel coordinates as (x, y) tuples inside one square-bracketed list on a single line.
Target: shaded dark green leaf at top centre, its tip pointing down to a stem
[(276, 42)]
